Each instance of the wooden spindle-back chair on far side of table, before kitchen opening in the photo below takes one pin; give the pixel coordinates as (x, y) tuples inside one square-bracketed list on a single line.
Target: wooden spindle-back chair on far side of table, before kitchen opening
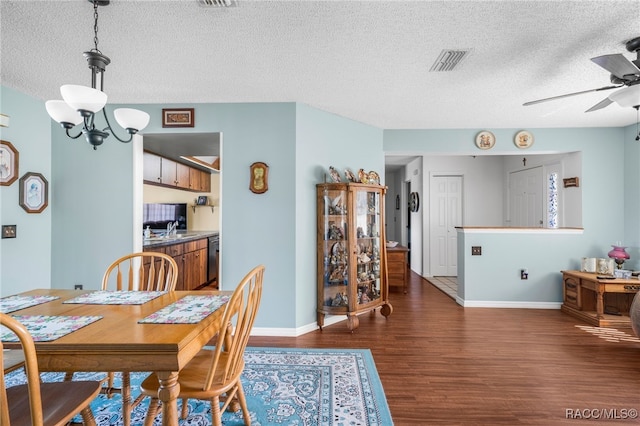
[(142, 271)]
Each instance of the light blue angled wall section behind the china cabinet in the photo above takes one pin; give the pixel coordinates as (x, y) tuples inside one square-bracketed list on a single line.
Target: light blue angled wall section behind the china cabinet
[(323, 140)]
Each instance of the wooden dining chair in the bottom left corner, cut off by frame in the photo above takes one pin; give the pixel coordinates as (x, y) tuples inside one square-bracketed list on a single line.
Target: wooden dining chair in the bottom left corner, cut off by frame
[(42, 404)]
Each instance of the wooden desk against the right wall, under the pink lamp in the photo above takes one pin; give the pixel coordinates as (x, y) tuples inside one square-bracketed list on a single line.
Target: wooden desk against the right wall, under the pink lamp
[(593, 300)]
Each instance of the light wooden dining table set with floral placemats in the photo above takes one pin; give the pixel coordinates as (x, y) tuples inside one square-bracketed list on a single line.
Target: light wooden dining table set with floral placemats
[(119, 343)]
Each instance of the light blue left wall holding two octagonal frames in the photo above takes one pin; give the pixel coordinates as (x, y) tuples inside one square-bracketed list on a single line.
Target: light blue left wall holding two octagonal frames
[(25, 261)]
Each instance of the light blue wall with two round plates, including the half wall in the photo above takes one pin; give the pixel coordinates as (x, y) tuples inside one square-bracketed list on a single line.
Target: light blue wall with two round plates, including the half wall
[(495, 276)]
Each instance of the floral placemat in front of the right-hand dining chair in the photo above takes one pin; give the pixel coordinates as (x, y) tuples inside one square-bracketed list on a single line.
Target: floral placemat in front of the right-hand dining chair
[(188, 310)]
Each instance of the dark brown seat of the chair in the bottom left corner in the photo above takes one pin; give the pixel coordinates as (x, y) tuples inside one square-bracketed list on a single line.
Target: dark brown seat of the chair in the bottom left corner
[(59, 401)]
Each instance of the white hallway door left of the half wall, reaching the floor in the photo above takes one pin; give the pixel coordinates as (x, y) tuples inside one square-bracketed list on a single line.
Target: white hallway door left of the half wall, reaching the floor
[(445, 214)]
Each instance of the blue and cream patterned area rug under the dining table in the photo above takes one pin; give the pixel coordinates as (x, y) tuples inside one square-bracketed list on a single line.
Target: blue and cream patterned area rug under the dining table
[(283, 386)]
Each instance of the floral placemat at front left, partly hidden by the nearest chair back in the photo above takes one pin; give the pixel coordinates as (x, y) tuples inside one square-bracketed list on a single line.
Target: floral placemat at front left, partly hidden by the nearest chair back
[(45, 328)]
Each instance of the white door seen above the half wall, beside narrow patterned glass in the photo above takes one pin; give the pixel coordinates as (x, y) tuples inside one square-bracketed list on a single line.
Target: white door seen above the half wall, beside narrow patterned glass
[(526, 191)]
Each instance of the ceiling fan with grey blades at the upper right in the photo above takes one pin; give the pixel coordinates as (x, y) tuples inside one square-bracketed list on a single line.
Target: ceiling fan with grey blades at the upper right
[(625, 75)]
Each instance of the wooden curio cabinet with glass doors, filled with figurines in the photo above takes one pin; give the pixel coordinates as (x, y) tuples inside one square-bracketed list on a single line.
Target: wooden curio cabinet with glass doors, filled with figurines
[(352, 270)]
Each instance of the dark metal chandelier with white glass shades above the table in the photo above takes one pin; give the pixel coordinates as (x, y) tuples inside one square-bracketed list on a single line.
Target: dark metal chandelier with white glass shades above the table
[(82, 103)]
